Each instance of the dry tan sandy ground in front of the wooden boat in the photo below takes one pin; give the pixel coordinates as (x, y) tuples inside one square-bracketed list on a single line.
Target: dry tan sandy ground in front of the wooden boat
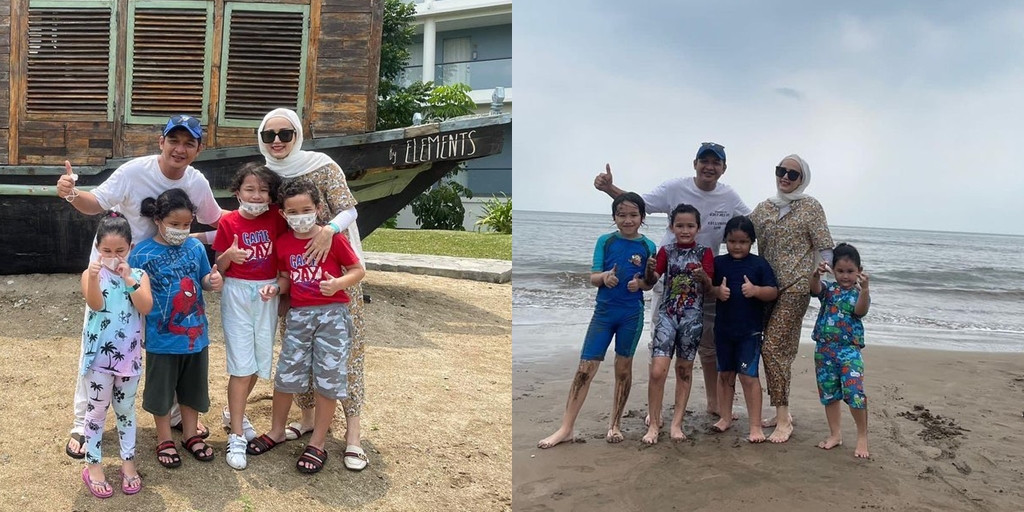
[(437, 424)]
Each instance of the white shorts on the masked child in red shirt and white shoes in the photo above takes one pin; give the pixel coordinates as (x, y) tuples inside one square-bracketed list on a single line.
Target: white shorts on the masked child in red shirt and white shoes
[(250, 325)]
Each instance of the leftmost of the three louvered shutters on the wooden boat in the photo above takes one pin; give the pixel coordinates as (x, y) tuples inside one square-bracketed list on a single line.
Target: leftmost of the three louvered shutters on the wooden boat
[(69, 60)]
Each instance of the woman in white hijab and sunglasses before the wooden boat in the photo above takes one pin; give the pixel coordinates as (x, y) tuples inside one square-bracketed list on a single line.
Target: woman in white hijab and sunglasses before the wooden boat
[(280, 140)]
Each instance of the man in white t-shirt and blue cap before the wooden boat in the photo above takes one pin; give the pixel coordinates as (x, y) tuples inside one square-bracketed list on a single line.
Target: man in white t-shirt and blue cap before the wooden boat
[(124, 191)]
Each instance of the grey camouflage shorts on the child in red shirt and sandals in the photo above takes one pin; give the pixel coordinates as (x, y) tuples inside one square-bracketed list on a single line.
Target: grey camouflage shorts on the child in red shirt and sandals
[(316, 337)]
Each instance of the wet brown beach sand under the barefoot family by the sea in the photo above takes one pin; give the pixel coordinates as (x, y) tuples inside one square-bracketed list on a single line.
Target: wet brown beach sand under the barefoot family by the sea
[(946, 433)]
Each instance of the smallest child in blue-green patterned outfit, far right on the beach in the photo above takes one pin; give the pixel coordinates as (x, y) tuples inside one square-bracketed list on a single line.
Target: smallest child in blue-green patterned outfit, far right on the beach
[(839, 336)]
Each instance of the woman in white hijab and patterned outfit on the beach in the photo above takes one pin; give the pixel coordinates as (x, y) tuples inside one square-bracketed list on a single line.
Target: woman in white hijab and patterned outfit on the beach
[(793, 235)]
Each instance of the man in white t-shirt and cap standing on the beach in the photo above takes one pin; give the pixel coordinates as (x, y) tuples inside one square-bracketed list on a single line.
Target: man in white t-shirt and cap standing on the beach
[(717, 204)]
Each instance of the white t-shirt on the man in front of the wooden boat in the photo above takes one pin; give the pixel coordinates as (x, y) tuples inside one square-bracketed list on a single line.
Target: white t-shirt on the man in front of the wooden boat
[(141, 179)]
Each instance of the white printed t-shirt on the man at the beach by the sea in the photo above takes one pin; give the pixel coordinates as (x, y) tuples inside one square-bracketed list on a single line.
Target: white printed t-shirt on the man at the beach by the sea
[(716, 208)]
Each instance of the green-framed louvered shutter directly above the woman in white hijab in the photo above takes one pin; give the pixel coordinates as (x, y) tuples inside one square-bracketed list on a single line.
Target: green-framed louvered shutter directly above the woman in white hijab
[(265, 65)]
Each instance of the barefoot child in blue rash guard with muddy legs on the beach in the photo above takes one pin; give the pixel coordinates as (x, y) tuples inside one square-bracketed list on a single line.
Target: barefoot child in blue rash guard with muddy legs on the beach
[(620, 263)]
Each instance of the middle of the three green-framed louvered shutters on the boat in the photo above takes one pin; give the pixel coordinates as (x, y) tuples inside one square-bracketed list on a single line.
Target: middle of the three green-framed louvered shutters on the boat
[(168, 45)]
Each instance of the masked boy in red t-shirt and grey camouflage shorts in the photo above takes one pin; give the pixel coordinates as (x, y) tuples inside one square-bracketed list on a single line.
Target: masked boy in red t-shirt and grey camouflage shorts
[(319, 327)]
